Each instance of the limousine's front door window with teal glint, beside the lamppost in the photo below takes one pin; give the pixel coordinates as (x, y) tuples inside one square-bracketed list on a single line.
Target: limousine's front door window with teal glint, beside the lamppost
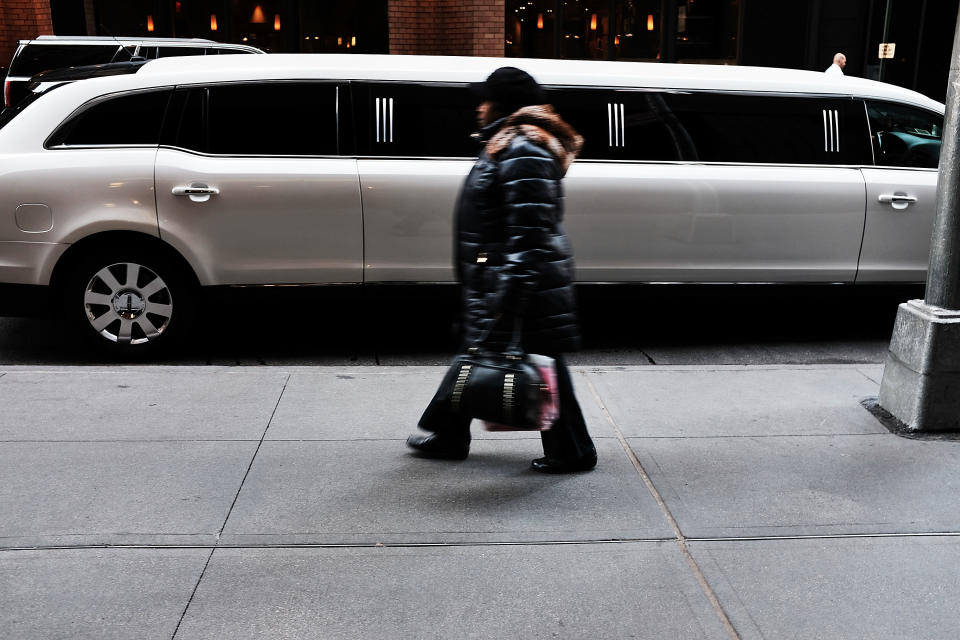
[(904, 136)]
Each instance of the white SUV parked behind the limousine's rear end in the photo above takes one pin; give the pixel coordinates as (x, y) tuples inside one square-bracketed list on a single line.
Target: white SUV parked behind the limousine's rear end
[(57, 52)]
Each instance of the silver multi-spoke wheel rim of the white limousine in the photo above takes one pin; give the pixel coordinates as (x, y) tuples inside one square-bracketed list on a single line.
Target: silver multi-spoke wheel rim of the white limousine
[(128, 303)]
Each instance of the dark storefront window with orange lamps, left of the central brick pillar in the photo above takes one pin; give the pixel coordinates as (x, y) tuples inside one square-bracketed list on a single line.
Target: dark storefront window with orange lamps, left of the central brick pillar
[(275, 26)]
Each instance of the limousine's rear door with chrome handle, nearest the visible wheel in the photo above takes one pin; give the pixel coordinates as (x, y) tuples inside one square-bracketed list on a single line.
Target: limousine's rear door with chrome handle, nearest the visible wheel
[(251, 189)]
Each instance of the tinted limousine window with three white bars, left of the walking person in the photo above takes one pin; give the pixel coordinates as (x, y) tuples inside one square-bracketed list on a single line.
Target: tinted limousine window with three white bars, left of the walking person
[(415, 120)]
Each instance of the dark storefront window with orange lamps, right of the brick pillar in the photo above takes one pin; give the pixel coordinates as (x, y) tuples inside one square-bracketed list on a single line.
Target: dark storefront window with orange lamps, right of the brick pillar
[(668, 30)]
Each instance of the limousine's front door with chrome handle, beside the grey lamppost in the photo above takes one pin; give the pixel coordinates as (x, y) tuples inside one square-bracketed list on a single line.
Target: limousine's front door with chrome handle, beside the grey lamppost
[(901, 193)]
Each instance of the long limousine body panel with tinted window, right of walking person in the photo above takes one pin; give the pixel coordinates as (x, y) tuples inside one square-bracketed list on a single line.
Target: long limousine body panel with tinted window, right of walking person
[(700, 187)]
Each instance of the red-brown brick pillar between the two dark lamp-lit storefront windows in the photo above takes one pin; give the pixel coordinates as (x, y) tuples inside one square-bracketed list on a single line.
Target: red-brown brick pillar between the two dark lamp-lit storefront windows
[(446, 27)]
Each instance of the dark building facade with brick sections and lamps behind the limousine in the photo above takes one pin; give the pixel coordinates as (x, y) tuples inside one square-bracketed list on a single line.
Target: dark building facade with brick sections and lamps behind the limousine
[(801, 35)]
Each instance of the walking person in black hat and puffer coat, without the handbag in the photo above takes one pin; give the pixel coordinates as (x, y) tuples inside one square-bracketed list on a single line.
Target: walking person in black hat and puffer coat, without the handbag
[(514, 261)]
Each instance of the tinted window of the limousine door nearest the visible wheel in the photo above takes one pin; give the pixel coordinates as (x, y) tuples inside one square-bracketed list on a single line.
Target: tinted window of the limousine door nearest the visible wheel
[(277, 118)]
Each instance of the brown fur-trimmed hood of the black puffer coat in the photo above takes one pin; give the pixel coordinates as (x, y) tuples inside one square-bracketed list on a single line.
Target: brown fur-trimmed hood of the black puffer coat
[(542, 126)]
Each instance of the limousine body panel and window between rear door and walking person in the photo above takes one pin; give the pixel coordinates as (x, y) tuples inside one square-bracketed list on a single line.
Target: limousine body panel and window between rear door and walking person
[(414, 148)]
